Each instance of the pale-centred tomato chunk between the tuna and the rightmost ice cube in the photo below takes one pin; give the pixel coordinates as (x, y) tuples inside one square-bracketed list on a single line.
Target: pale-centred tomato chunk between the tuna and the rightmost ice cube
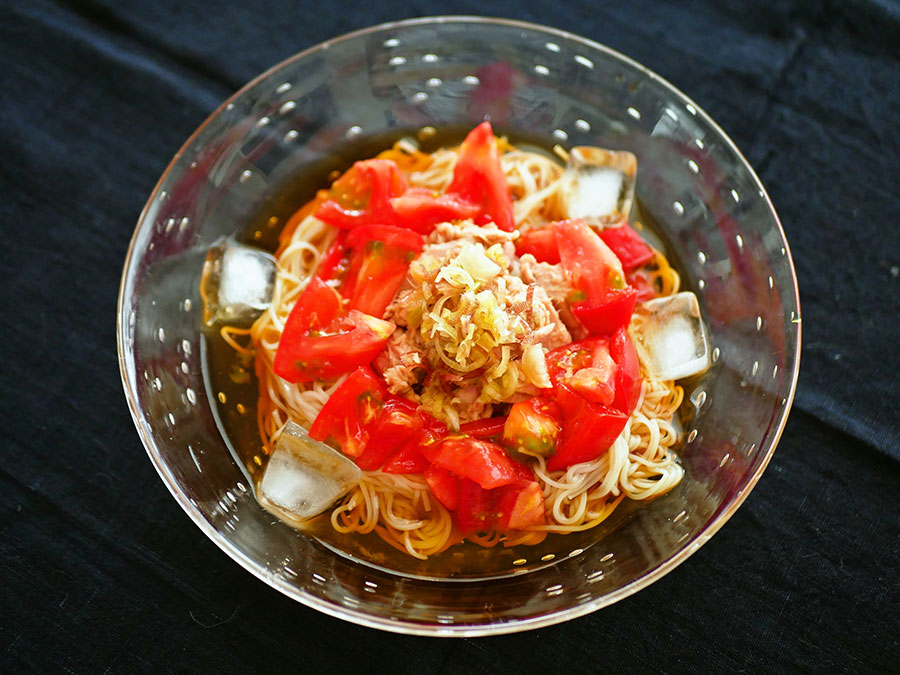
[(584, 368)]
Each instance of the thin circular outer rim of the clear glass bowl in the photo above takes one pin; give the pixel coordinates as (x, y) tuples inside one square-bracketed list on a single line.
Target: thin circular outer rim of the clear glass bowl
[(409, 627)]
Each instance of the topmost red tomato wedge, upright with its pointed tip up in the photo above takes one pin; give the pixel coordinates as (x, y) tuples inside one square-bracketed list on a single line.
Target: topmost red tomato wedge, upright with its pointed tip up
[(478, 177)]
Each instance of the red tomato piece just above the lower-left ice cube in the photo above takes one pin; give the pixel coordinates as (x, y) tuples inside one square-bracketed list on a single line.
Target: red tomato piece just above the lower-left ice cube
[(349, 412)]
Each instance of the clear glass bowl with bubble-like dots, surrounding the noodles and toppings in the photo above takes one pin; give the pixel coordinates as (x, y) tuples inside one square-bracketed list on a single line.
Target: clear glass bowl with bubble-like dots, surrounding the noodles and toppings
[(715, 217)]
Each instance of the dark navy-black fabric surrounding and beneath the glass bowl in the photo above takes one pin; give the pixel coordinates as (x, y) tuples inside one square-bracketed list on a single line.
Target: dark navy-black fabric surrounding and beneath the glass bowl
[(100, 571)]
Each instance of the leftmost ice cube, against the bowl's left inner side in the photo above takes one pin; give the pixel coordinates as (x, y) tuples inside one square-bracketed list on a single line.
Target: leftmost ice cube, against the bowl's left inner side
[(237, 283)]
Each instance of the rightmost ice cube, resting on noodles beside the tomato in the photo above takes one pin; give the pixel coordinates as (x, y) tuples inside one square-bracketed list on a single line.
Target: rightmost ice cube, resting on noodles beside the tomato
[(673, 336)]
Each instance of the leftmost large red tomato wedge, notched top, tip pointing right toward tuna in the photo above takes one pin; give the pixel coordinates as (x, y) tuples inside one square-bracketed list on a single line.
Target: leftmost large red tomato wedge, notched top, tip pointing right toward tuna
[(321, 340)]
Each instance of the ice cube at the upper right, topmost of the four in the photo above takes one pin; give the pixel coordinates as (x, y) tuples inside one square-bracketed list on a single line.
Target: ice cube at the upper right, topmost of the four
[(599, 184)]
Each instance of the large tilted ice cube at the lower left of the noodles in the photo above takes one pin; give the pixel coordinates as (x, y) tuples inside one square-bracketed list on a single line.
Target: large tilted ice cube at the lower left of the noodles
[(304, 477)]
